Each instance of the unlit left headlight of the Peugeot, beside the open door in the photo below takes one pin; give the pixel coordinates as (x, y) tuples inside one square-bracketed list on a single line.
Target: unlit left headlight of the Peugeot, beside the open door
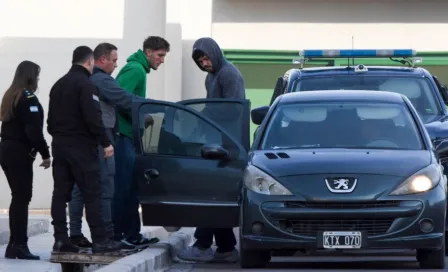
[(260, 182)]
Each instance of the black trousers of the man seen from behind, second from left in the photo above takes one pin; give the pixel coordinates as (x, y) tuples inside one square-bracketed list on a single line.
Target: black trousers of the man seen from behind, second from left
[(78, 165)]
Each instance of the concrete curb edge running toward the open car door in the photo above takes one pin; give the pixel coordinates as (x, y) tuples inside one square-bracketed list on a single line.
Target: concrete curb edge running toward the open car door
[(156, 257)]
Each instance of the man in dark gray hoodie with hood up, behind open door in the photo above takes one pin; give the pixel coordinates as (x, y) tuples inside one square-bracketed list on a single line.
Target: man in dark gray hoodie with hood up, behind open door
[(223, 80)]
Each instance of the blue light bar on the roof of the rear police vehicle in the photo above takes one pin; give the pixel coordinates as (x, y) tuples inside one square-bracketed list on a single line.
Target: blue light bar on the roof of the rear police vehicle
[(372, 70)]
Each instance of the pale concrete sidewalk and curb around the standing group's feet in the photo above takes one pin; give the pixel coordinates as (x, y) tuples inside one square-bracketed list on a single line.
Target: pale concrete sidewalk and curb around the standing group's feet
[(155, 258)]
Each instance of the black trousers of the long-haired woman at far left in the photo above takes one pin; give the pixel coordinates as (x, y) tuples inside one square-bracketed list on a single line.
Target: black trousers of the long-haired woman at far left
[(17, 164)]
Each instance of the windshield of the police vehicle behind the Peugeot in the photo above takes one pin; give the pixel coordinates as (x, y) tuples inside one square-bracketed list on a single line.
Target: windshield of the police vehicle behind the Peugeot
[(417, 90)]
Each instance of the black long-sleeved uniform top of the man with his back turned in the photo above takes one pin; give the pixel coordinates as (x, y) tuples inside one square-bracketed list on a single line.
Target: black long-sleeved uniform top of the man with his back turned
[(74, 113)]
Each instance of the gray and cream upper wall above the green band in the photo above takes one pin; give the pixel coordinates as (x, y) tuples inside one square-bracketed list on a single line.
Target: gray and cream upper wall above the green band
[(305, 24)]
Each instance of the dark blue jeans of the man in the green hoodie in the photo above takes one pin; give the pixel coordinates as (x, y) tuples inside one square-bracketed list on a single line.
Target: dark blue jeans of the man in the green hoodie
[(126, 217)]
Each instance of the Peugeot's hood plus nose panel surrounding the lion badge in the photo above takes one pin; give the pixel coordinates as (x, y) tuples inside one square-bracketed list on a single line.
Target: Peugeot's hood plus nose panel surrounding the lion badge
[(307, 173)]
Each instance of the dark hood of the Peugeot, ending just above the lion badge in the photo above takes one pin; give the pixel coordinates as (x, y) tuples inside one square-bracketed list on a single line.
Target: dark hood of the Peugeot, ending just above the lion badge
[(283, 163)]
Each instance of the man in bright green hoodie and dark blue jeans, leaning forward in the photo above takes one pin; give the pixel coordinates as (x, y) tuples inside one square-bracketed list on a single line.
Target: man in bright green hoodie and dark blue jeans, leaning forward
[(132, 77)]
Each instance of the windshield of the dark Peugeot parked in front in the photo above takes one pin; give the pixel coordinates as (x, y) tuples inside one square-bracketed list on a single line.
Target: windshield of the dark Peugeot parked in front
[(360, 125)]
